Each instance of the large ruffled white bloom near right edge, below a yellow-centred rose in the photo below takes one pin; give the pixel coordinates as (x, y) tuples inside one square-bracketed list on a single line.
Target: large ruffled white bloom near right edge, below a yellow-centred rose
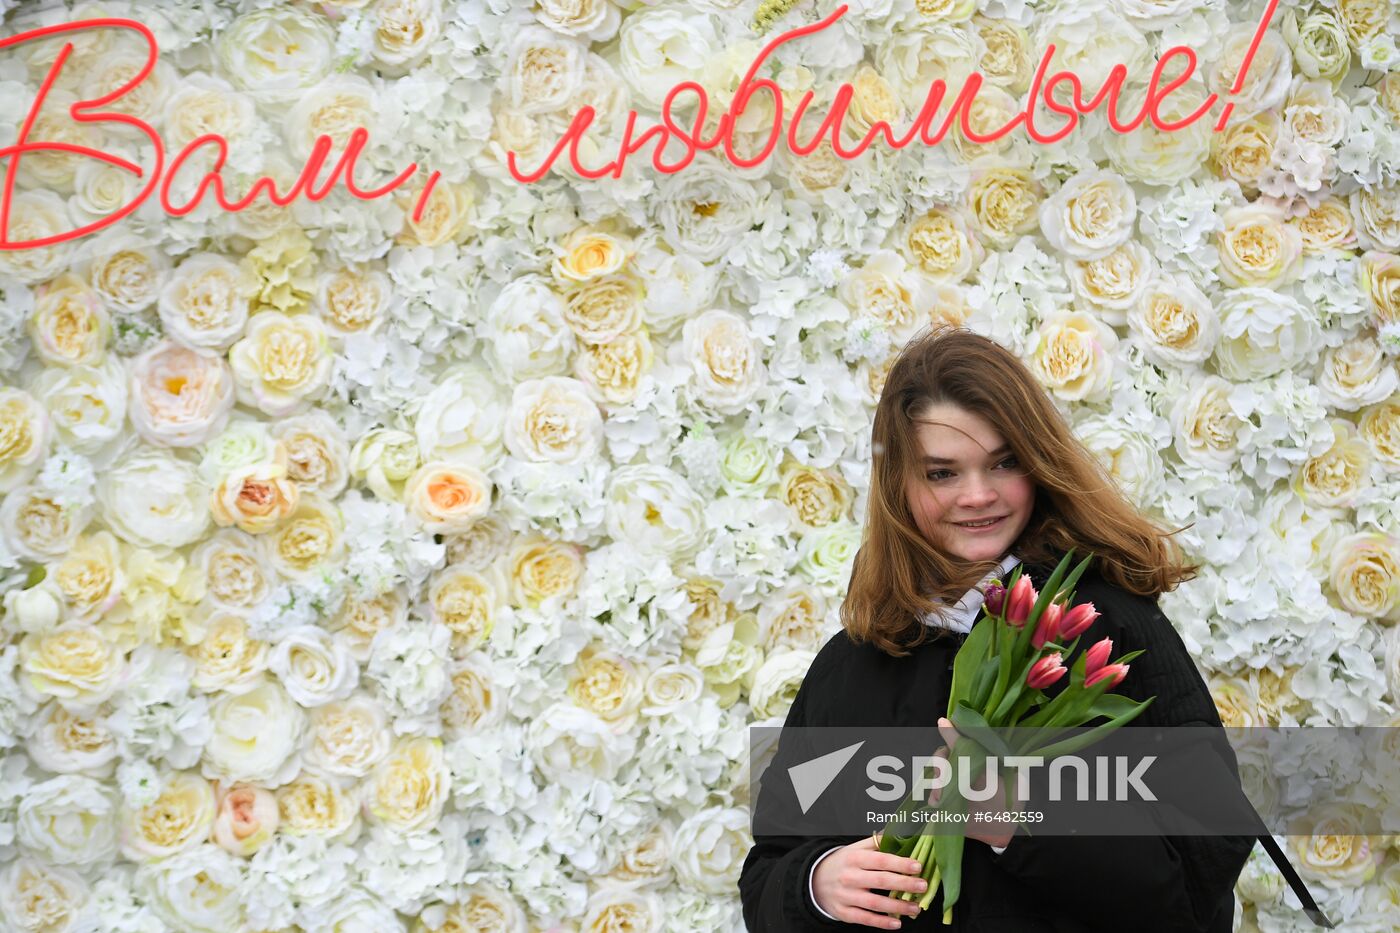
[(1263, 333)]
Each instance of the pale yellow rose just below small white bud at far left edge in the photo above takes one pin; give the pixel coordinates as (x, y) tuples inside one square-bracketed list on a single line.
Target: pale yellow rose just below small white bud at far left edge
[(75, 665)]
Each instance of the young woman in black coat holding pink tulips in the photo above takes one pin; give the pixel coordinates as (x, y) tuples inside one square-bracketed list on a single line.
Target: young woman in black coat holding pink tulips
[(976, 471)]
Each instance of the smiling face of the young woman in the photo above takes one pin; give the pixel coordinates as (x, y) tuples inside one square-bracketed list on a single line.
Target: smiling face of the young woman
[(968, 474)]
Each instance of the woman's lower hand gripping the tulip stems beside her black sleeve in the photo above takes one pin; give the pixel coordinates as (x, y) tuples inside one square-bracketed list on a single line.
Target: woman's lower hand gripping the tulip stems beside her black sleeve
[(846, 883)]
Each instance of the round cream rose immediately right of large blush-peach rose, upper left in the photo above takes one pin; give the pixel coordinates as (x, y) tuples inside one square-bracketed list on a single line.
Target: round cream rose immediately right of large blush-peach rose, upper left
[(282, 365)]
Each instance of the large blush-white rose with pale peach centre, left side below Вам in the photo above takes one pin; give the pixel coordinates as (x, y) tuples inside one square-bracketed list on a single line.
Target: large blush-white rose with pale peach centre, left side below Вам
[(180, 397)]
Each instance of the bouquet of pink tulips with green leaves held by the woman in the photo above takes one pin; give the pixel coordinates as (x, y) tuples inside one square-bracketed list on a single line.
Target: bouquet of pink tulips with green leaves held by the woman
[(1000, 675)]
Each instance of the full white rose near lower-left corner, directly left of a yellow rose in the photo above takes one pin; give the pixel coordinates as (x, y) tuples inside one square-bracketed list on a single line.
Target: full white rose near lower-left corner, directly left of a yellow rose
[(69, 820)]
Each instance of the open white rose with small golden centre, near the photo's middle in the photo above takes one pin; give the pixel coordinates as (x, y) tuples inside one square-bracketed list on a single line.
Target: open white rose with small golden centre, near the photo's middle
[(654, 511)]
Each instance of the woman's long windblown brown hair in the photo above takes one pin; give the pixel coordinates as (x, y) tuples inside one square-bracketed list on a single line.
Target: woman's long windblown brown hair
[(1077, 505)]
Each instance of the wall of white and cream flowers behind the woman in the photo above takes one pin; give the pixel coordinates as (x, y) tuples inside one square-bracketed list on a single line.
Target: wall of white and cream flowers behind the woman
[(374, 574)]
